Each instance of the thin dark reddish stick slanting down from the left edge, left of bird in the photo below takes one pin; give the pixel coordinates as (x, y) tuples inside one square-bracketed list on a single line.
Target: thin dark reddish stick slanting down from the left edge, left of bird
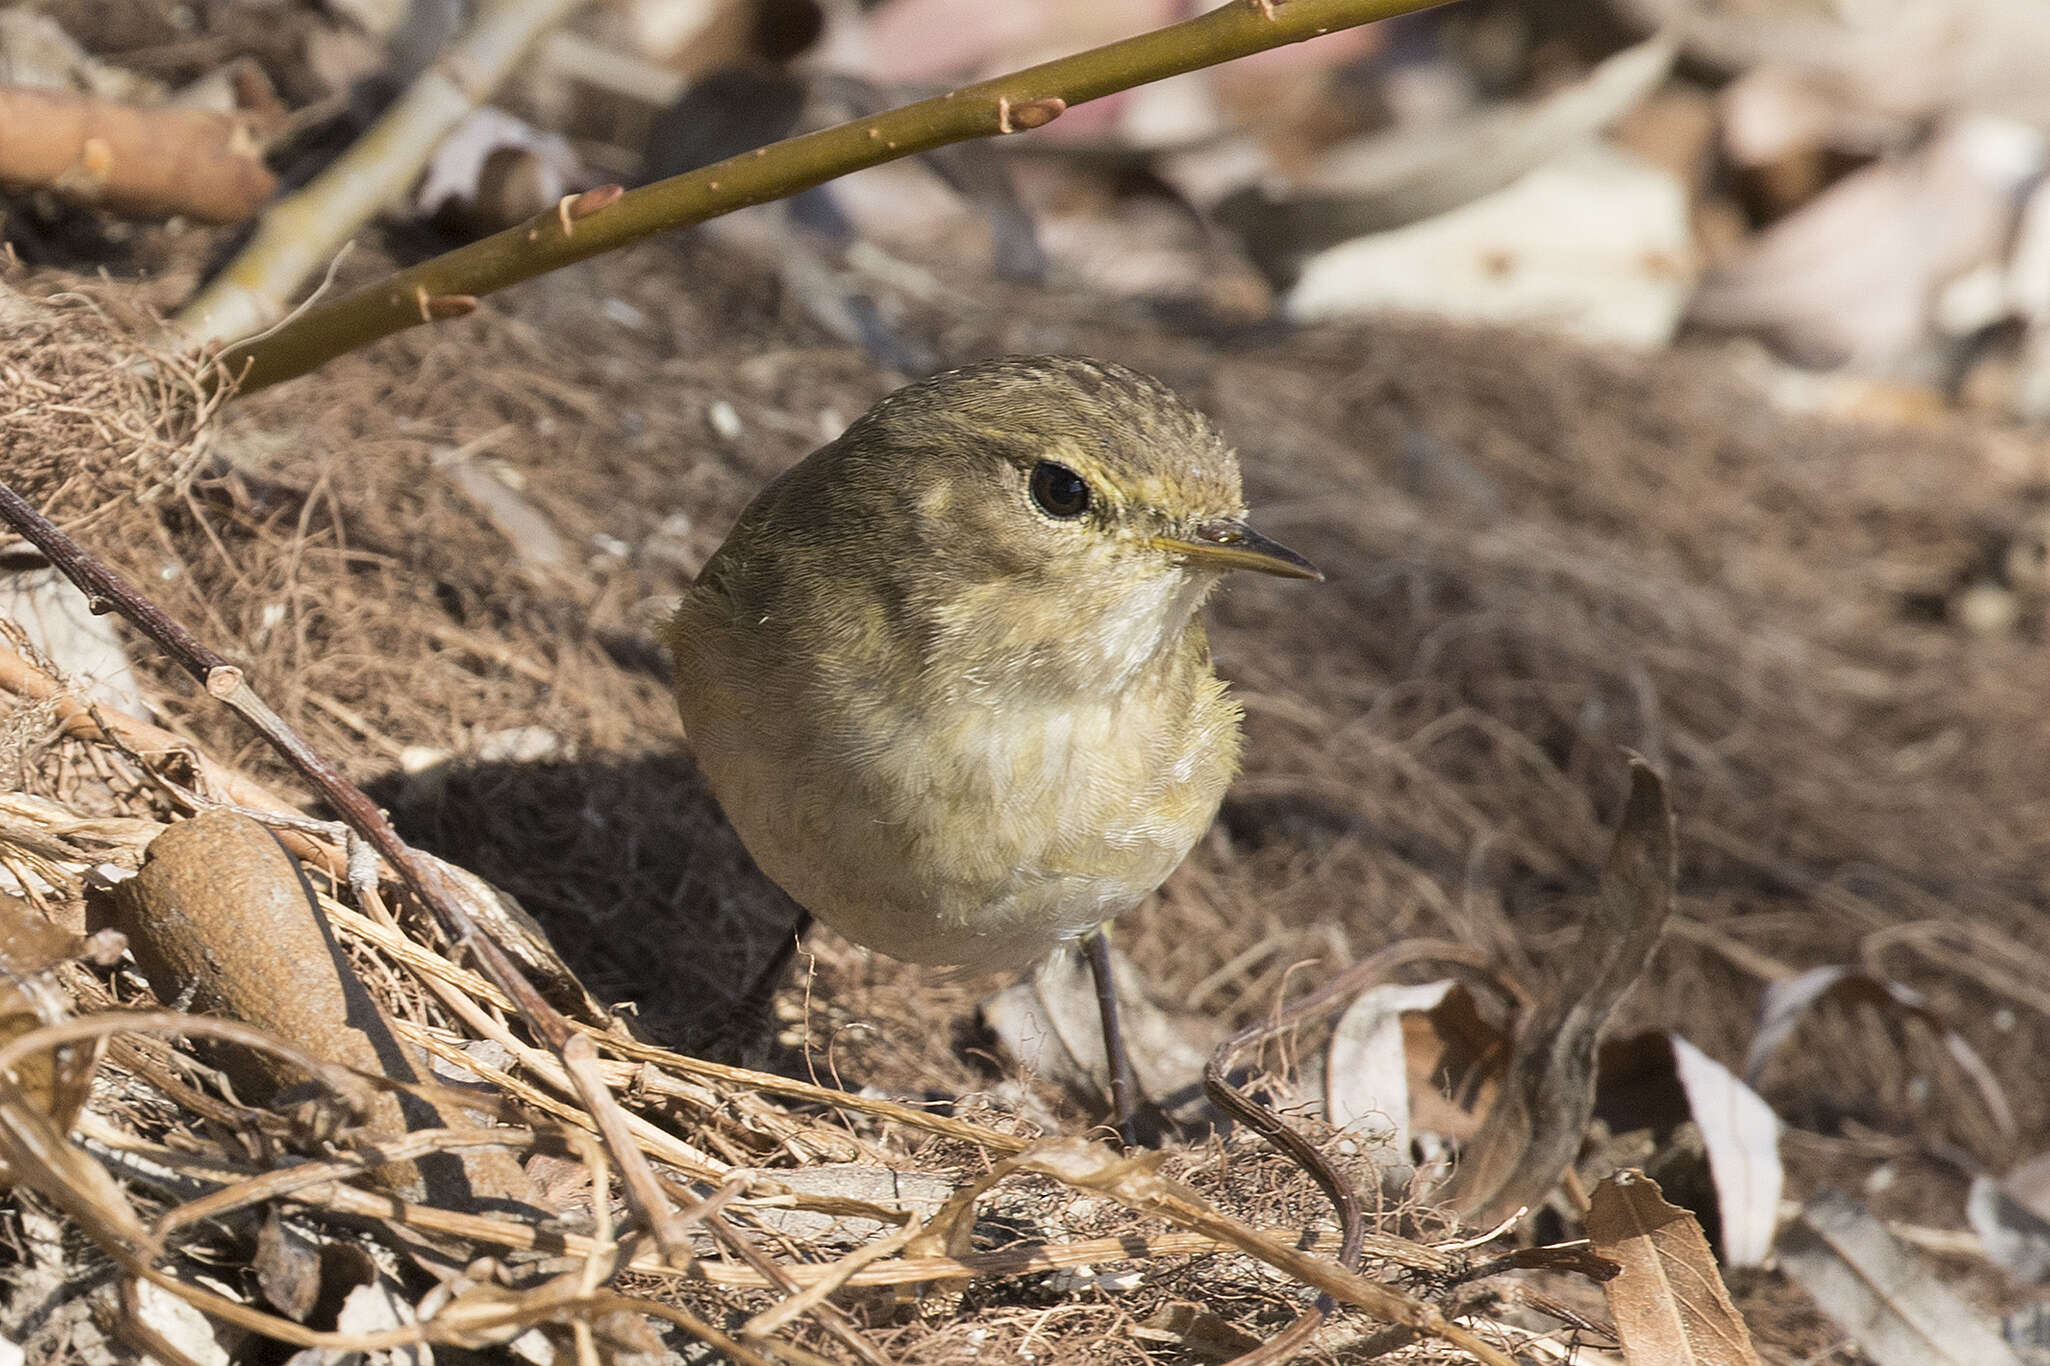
[(108, 592)]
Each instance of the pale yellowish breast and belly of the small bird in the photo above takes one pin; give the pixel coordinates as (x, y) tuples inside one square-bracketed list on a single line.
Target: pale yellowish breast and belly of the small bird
[(971, 836)]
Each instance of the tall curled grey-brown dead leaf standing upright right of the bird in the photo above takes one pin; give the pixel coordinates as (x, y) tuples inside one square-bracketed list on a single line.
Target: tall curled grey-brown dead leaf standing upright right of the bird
[(1534, 1129)]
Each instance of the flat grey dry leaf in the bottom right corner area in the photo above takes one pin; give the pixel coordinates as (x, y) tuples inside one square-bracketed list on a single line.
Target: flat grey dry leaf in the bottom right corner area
[(1891, 1303)]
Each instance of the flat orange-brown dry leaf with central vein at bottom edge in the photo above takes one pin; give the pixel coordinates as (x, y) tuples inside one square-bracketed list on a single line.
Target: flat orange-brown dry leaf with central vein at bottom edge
[(1670, 1303)]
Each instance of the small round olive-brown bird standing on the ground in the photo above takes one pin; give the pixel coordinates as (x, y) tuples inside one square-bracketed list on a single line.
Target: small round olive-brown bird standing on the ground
[(948, 676)]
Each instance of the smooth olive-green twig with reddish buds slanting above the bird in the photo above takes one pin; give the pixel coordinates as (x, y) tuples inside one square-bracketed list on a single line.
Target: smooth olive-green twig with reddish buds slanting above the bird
[(602, 220)]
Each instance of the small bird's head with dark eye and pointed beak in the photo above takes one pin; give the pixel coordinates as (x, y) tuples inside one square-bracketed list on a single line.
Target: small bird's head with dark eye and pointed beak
[(1049, 518)]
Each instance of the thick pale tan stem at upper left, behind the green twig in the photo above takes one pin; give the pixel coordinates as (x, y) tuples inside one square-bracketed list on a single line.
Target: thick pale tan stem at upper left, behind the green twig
[(300, 233)]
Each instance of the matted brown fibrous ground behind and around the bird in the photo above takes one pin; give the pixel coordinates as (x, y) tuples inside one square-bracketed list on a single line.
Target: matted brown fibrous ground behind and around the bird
[(1536, 557)]
